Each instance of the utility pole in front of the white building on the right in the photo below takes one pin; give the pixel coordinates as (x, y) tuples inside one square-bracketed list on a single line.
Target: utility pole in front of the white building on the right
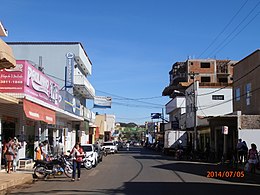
[(195, 138)]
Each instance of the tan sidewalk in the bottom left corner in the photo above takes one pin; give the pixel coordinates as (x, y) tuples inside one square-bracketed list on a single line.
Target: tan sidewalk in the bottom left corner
[(14, 179)]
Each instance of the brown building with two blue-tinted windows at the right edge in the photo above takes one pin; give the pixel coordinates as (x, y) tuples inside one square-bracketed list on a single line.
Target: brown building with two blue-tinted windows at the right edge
[(246, 91)]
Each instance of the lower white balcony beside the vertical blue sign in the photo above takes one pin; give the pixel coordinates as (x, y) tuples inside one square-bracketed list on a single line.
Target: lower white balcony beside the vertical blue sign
[(83, 87)]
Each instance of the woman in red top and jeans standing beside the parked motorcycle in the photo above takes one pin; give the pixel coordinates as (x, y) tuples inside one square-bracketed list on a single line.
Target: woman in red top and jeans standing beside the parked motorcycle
[(77, 154)]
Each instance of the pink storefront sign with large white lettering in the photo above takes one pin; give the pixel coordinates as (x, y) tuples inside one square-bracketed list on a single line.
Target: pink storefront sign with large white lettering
[(27, 79)]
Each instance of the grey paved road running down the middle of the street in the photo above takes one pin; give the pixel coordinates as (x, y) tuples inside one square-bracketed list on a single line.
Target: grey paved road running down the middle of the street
[(141, 171)]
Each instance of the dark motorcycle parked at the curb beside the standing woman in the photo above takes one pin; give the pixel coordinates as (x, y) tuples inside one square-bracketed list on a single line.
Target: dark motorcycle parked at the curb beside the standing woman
[(55, 167)]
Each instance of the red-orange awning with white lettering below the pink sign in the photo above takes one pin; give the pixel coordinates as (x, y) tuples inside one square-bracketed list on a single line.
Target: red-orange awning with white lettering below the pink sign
[(37, 112)]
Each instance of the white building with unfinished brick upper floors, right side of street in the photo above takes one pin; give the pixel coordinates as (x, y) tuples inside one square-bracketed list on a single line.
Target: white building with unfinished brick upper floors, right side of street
[(200, 89)]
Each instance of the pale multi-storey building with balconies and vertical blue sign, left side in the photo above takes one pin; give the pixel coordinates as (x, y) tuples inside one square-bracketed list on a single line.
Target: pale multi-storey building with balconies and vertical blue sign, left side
[(68, 64)]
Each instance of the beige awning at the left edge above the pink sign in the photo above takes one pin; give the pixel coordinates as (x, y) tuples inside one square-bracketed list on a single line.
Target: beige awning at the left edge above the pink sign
[(7, 59)]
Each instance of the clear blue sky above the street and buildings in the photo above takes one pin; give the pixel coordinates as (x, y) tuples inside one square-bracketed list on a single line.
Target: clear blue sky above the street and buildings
[(133, 43)]
